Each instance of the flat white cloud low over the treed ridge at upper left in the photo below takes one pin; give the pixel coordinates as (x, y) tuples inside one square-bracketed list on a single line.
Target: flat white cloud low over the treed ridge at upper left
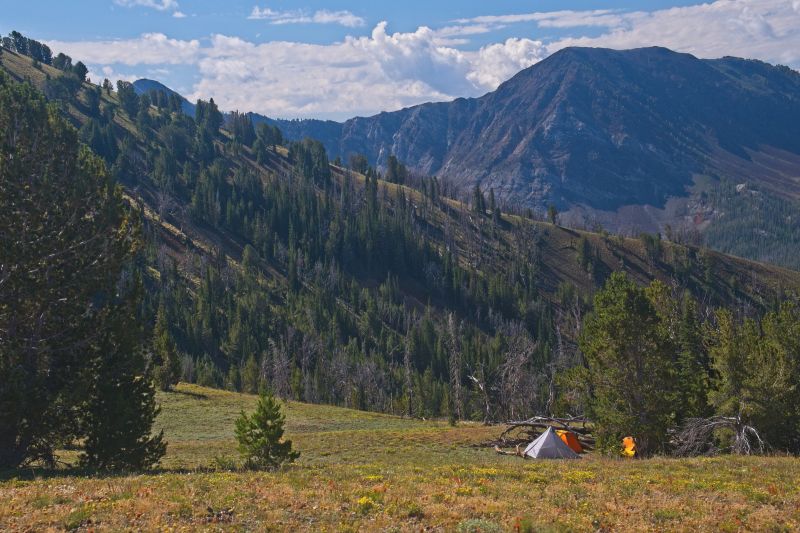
[(149, 49)]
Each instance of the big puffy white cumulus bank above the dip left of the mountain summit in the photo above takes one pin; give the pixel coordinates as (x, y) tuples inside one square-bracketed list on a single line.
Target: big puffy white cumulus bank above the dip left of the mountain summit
[(359, 76)]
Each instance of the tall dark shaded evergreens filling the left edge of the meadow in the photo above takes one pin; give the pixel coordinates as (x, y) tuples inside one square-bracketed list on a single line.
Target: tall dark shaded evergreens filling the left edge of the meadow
[(73, 368)]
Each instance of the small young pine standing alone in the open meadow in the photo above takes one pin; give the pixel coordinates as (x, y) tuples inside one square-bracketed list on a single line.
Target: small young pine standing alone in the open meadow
[(260, 436)]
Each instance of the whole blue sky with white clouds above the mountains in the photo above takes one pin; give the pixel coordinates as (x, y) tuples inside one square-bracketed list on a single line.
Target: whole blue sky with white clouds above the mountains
[(342, 58)]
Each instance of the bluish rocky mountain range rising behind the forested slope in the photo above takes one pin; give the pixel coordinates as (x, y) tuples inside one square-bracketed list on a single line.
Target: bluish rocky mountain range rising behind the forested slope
[(601, 134)]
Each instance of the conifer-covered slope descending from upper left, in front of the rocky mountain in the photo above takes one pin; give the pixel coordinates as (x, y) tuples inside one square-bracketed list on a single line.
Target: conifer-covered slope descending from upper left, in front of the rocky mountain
[(271, 267)]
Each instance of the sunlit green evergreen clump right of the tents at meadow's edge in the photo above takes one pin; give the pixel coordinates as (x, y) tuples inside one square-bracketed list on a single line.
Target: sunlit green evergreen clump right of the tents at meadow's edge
[(652, 363)]
